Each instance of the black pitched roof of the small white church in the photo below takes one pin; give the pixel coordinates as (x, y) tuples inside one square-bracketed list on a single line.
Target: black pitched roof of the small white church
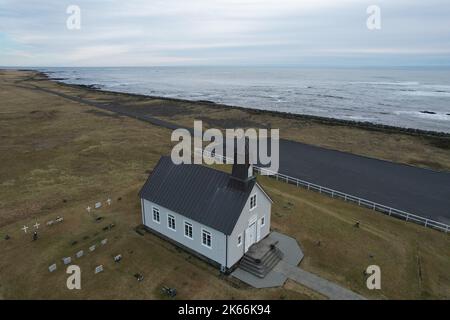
[(197, 192)]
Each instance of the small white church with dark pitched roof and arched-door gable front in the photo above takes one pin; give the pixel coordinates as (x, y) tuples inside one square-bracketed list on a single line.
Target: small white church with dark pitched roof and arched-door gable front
[(211, 213)]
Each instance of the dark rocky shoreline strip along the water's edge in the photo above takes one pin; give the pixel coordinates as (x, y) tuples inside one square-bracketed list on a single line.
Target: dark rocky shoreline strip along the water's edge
[(287, 115)]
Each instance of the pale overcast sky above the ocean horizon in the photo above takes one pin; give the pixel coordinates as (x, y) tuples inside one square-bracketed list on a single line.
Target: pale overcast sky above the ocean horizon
[(224, 32)]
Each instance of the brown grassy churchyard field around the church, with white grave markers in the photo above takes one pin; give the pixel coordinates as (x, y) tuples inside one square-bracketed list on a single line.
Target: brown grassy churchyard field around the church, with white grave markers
[(71, 174)]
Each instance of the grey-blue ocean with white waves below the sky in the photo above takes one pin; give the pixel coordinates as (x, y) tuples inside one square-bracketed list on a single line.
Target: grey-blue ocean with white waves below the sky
[(404, 97)]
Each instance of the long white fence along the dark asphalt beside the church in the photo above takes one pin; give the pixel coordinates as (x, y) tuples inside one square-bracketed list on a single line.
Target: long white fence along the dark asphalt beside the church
[(344, 196)]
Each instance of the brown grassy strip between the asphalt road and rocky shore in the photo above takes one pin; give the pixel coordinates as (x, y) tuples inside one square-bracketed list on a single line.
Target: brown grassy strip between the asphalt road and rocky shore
[(413, 148)]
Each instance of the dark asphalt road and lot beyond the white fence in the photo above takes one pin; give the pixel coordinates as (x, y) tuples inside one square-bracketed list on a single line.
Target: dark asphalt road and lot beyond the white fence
[(419, 191)]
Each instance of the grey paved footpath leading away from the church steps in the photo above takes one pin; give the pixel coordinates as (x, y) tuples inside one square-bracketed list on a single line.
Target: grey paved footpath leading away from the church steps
[(318, 284)]
